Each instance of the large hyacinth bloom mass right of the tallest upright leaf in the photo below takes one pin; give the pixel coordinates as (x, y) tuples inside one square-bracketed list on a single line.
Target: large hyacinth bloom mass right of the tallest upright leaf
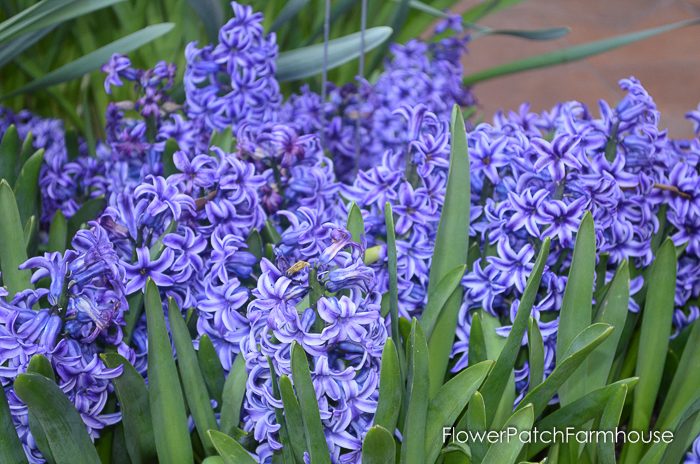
[(535, 175)]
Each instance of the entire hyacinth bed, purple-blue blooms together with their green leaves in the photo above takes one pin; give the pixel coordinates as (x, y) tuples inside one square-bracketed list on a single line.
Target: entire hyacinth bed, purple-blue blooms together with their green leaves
[(263, 224)]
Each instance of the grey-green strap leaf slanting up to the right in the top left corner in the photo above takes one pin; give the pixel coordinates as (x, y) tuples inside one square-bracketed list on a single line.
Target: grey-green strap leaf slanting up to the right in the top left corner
[(95, 59)]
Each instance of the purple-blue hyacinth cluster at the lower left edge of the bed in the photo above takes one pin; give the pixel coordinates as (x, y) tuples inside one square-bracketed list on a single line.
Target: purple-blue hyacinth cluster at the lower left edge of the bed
[(70, 321)]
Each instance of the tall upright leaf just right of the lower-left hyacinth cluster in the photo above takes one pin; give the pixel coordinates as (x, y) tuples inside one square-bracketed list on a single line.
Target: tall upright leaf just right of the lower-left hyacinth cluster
[(170, 427)]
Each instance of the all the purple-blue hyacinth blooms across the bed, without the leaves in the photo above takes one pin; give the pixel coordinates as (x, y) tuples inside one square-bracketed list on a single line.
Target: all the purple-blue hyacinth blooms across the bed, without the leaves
[(187, 220)]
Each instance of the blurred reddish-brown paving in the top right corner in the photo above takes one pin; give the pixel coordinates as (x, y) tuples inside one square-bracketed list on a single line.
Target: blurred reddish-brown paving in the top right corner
[(668, 66)]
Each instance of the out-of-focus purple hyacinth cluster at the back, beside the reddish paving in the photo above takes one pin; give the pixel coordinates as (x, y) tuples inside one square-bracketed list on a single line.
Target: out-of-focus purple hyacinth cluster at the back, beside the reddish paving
[(357, 122)]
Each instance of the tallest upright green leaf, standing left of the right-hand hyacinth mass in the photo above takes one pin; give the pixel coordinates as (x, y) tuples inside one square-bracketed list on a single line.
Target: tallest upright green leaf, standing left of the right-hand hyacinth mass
[(451, 245)]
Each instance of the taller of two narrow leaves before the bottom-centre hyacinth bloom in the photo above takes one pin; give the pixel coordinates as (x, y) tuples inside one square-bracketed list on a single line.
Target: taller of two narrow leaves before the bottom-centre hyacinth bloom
[(313, 428)]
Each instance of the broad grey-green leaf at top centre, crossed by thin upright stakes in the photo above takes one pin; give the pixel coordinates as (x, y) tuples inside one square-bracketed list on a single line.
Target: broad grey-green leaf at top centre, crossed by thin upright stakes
[(308, 61)]
